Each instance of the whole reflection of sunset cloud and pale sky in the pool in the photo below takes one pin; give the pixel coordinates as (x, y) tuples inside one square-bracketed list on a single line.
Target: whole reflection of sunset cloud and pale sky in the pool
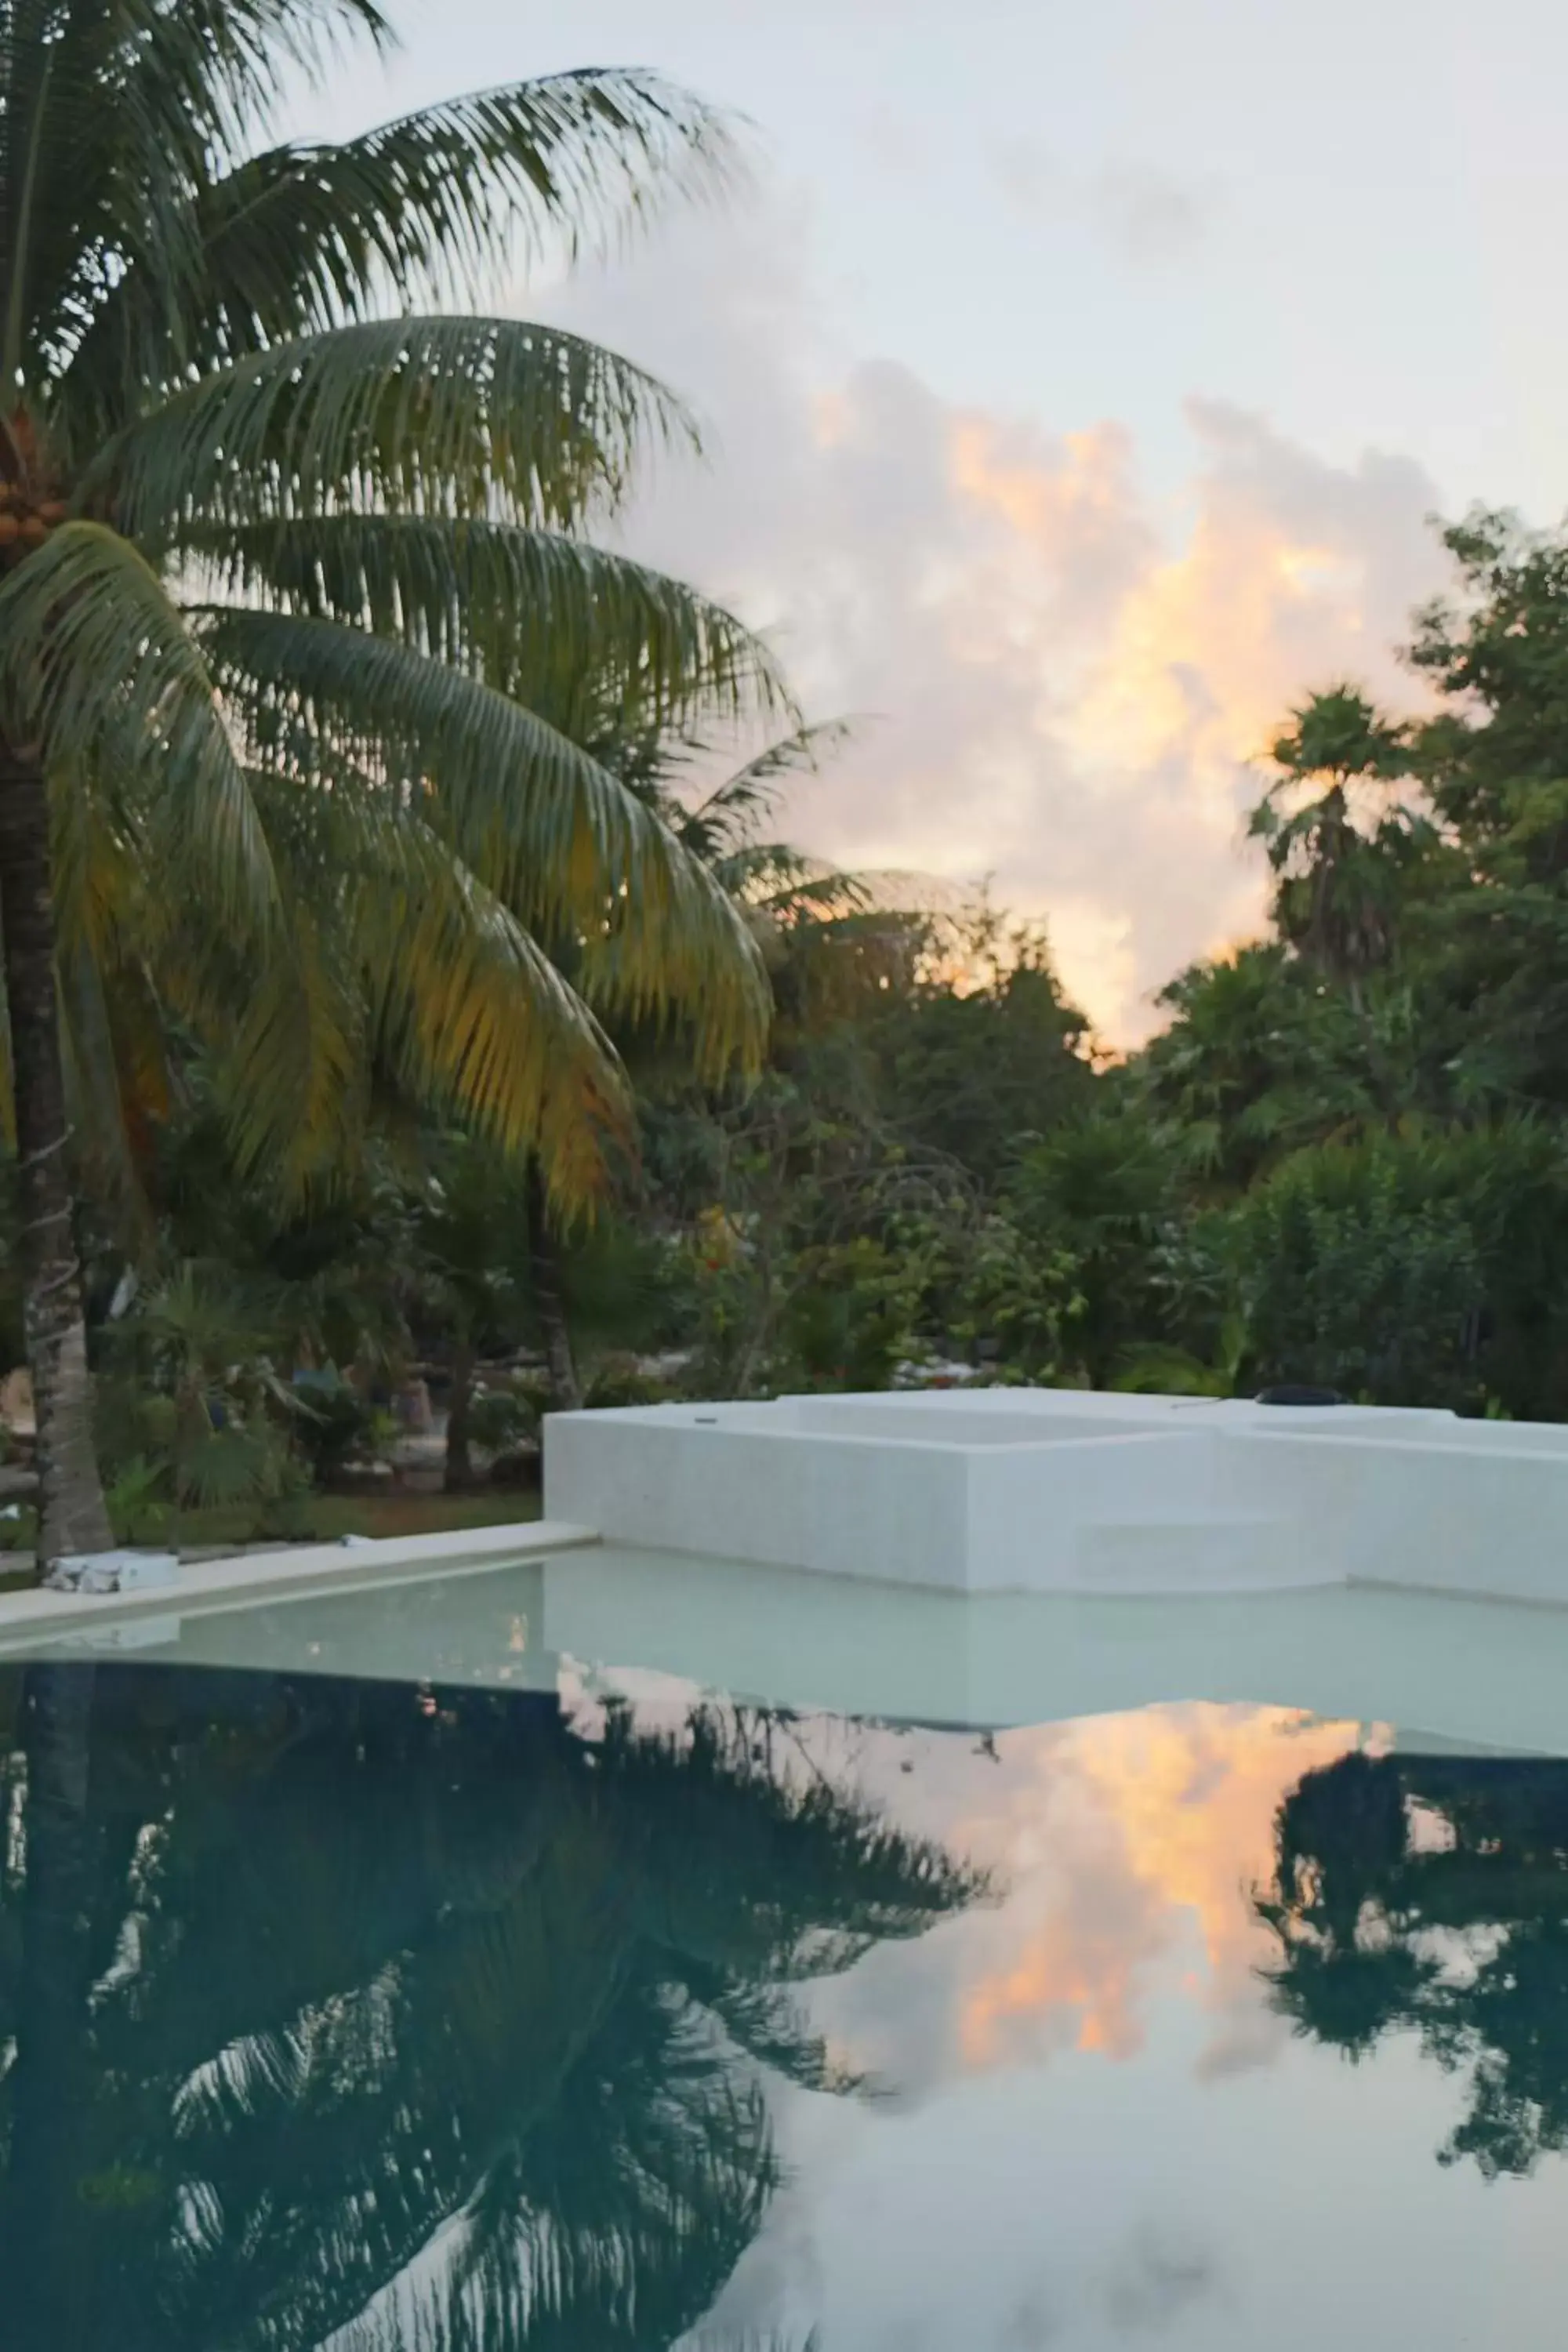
[(1094, 2130)]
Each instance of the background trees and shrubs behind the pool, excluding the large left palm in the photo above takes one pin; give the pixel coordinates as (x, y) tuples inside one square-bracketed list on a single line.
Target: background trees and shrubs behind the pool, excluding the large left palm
[(1339, 1161)]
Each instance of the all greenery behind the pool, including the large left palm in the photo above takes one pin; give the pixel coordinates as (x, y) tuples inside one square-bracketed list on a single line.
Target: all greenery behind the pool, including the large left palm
[(401, 987)]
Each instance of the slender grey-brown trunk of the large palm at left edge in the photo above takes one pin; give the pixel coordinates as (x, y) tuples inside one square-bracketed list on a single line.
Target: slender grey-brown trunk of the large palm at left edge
[(72, 1516)]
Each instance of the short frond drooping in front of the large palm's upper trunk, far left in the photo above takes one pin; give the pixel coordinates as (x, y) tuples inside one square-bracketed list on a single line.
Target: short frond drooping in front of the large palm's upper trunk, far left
[(100, 669)]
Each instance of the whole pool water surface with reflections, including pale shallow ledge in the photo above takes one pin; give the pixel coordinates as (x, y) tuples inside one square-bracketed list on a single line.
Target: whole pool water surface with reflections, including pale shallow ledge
[(570, 2000)]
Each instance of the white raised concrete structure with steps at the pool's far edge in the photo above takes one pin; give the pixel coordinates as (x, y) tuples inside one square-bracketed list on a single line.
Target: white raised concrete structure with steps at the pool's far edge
[(1047, 1490)]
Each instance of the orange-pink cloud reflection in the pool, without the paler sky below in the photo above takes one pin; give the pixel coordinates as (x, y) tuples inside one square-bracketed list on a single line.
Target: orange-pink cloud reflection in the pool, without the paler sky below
[(1125, 1850)]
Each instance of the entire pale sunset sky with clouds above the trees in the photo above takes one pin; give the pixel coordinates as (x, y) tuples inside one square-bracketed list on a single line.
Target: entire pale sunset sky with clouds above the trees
[(1078, 394)]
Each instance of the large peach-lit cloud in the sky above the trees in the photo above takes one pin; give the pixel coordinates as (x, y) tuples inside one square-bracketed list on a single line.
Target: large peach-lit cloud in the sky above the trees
[(1064, 679)]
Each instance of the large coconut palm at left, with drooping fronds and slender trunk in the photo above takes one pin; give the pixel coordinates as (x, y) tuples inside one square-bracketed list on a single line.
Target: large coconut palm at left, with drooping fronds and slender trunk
[(281, 561)]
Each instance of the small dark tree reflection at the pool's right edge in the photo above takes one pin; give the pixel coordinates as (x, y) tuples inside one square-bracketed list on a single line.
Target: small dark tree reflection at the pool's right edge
[(1433, 1895)]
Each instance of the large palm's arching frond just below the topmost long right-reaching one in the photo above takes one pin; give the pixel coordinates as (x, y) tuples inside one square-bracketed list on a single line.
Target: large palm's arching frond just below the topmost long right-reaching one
[(438, 415)]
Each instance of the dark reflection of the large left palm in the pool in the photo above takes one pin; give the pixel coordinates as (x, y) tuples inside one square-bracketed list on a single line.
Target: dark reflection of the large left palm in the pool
[(408, 2022)]
